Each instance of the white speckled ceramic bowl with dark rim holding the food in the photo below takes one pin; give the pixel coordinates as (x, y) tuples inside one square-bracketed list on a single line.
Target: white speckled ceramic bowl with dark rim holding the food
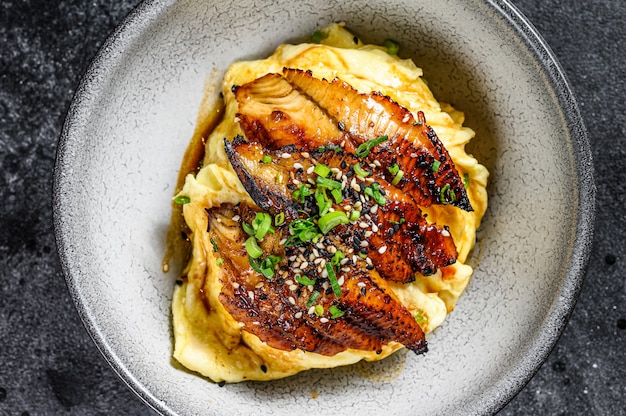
[(135, 111)]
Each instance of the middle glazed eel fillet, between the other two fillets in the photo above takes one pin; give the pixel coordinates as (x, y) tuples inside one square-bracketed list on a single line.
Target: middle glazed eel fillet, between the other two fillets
[(398, 239)]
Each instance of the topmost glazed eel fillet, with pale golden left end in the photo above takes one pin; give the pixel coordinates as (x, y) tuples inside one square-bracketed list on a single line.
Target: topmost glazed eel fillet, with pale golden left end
[(297, 109)]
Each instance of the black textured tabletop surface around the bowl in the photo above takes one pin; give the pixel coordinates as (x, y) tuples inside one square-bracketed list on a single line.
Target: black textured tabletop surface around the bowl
[(48, 364)]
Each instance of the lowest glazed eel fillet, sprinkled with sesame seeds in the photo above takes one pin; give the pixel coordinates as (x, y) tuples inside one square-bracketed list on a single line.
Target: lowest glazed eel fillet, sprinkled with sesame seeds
[(279, 311)]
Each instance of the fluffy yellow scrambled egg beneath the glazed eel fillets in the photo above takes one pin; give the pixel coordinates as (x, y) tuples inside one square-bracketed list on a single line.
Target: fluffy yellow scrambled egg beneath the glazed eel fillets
[(207, 339)]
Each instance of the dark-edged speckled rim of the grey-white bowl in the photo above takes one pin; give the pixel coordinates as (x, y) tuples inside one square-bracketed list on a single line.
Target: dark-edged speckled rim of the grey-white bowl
[(147, 11)]
